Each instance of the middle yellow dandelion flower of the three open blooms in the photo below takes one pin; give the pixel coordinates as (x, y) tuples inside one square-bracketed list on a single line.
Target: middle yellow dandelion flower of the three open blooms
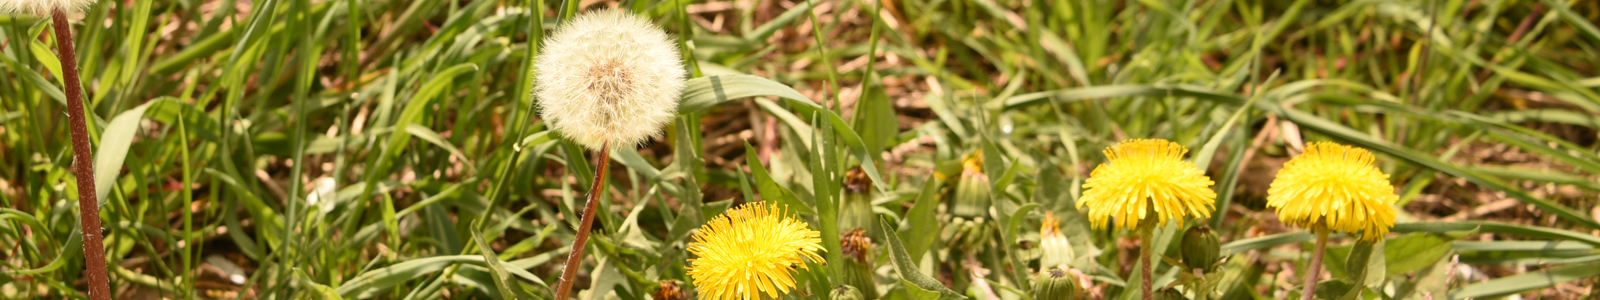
[(1146, 180)]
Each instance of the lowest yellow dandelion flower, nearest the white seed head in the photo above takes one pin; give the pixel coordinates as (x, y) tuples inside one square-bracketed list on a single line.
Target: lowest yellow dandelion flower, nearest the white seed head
[(751, 250)]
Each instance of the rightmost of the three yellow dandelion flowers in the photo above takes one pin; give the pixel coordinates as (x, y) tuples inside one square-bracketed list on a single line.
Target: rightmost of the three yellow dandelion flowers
[(1335, 187)]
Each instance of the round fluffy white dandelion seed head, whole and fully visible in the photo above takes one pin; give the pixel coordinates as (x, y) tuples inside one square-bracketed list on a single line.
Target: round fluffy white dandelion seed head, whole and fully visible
[(609, 77)]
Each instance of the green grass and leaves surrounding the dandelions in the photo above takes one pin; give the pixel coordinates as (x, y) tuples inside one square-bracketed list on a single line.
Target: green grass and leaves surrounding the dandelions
[(218, 124)]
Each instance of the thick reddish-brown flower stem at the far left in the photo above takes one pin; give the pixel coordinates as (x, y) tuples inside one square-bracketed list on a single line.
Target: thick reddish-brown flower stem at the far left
[(82, 162)]
